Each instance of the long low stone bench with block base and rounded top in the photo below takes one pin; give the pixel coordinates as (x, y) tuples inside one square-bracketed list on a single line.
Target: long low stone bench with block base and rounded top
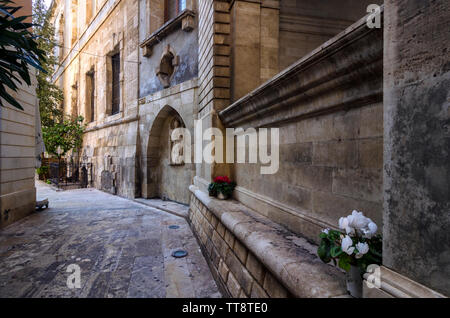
[(251, 256)]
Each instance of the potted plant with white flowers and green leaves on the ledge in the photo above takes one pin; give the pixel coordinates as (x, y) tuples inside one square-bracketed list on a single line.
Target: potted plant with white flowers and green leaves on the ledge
[(352, 249)]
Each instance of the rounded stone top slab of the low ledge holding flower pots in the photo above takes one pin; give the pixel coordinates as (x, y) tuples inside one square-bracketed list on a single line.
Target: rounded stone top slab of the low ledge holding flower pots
[(289, 258)]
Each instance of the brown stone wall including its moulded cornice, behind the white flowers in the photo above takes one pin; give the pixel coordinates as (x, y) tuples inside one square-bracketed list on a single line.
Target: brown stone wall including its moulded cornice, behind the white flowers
[(328, 108)]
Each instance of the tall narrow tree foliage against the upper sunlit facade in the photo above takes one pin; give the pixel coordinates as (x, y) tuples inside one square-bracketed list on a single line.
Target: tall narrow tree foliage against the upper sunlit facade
[(50, 95)]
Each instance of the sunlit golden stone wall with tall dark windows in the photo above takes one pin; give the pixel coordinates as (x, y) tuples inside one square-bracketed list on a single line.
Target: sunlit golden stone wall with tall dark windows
[(109, 143)]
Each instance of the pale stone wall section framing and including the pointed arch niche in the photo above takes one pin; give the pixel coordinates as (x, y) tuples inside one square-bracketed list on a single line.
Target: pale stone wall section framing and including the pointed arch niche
[(156, 176)]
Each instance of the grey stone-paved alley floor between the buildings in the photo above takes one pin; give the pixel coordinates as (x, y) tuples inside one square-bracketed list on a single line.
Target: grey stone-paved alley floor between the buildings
[(123, 249)]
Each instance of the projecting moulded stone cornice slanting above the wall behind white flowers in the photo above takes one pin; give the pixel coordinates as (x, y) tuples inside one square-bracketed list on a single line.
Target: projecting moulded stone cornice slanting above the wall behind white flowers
[(344, 72)]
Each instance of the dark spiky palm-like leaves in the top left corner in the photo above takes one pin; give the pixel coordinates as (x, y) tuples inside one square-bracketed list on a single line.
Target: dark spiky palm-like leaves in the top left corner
[(18, 51)]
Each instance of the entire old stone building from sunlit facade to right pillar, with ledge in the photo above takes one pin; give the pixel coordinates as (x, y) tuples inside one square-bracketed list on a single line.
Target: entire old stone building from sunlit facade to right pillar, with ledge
[(138, 69)]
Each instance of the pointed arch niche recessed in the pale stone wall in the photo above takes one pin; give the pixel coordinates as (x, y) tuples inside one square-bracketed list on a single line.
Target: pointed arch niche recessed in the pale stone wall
[(167, 177)]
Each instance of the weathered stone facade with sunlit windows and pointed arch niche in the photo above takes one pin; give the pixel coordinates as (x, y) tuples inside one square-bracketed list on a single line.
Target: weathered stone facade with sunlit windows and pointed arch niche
[(117, 144)]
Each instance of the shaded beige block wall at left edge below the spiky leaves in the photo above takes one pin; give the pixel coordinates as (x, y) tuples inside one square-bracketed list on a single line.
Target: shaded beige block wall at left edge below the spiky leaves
[(17, 155)]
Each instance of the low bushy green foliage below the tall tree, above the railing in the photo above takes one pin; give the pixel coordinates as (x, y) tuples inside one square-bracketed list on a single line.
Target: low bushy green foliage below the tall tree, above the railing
[(67, 134)]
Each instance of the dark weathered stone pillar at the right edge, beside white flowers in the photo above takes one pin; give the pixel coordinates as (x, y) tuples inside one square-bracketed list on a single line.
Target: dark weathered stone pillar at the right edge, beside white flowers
[(416, 235)]
